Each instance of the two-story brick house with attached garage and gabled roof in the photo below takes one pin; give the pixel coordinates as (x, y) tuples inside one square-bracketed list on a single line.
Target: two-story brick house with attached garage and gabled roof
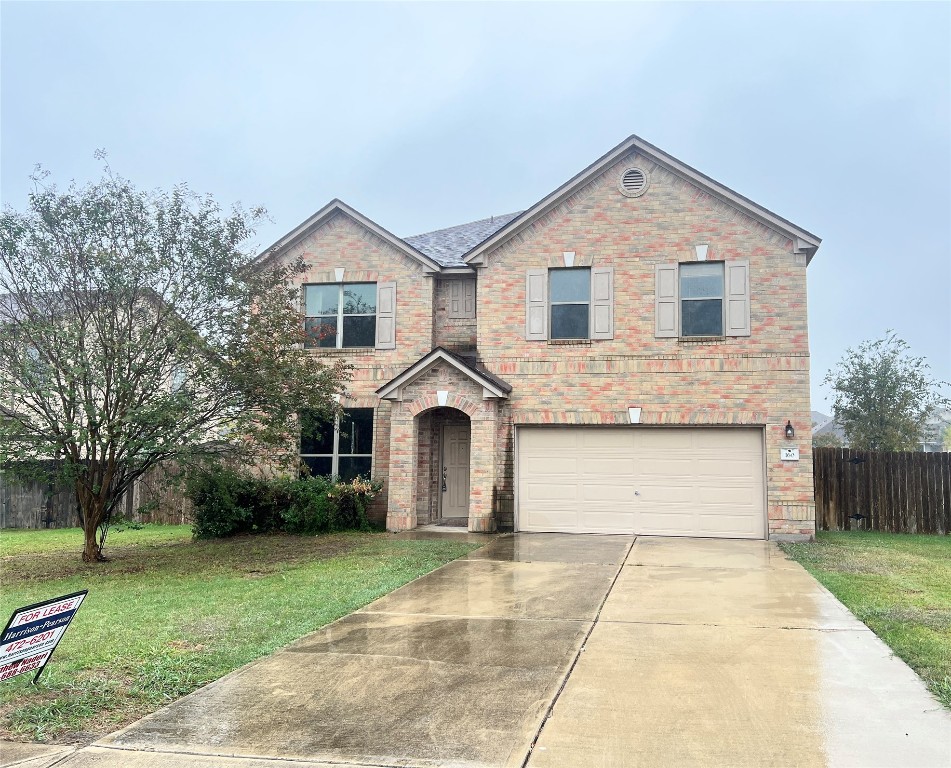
[(629, 354)]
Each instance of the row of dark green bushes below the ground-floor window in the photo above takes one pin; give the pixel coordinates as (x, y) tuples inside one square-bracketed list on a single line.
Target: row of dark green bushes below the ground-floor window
[(228, 502)]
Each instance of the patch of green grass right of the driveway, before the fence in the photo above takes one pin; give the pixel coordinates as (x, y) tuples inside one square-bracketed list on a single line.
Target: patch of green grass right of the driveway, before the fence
[(899, 585)]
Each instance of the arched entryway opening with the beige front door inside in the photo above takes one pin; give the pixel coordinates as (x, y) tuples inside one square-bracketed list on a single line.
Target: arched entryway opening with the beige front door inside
[(443, 470)]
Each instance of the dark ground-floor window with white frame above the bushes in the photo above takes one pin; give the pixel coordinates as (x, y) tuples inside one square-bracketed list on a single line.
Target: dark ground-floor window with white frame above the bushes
[(343, 448)]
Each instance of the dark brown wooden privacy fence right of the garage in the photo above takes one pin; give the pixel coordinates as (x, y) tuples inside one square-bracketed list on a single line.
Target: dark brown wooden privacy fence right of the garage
[(898, 492)]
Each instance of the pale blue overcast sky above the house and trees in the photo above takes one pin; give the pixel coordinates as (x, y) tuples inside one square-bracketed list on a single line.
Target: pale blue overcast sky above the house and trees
[(836, 116)]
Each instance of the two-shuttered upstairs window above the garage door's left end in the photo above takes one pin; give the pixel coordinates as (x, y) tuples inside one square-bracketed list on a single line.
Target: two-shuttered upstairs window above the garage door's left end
[(569, 303)]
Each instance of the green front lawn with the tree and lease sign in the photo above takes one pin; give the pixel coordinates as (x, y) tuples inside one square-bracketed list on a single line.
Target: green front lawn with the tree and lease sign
[(166, 615)]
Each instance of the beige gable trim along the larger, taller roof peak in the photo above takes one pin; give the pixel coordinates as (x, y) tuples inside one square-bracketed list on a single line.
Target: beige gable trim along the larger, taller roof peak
[(803, 241)]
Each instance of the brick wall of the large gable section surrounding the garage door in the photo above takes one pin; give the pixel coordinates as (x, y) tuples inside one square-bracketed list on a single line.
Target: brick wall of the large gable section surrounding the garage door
[(762, 379)]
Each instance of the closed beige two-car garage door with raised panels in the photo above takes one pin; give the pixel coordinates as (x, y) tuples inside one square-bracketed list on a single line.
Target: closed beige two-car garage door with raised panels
[(660, 481)]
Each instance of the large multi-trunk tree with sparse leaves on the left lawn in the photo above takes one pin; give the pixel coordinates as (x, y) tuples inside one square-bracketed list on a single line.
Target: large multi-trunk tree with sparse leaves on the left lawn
[(135, 327)]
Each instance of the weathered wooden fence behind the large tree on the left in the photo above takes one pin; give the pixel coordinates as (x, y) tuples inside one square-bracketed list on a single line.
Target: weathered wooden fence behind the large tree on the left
[(157, 497)]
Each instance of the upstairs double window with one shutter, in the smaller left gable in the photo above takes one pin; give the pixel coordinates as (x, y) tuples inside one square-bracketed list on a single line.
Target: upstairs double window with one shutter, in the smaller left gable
[(340, 315)]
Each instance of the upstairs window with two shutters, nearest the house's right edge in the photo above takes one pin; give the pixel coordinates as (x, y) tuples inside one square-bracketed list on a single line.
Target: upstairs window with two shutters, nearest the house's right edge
[(699, 299)]
